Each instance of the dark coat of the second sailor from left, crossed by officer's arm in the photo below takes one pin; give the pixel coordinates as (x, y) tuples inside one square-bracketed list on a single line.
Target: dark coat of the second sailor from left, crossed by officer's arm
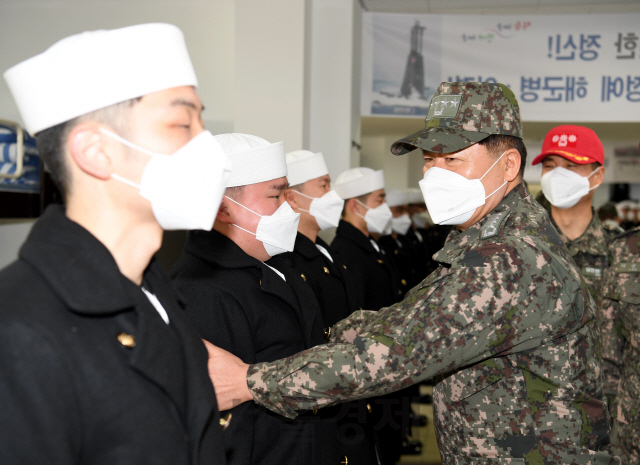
[(240, 304)]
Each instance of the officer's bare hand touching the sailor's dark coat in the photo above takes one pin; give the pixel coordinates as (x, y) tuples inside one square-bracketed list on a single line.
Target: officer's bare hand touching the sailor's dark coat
[(229, 377)]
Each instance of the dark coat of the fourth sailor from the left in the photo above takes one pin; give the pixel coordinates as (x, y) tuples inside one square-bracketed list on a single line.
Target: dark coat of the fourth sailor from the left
[(375, 281)]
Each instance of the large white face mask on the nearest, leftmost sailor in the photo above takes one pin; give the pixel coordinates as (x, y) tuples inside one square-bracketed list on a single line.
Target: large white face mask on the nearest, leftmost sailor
[(185, 188)]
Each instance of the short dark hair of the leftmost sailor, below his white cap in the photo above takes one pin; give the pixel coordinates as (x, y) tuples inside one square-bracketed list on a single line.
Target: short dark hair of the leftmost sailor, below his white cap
[(52, 141)]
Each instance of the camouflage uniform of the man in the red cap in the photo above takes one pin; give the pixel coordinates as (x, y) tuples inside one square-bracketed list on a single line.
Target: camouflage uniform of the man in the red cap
[(589, 251)]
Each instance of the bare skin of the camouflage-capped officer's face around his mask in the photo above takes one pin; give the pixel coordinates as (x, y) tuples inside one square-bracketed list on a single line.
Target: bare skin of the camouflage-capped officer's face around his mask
[(472, 163)]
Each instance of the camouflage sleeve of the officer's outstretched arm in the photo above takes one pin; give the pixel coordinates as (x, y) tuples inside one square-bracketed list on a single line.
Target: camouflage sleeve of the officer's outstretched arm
[(494, 304)]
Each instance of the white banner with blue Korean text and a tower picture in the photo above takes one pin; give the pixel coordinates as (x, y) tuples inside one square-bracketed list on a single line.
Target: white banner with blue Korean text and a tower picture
[(564, 68)]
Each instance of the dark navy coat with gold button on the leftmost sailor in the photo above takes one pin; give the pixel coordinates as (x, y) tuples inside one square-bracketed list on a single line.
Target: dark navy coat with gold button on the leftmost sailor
[(89, 371)]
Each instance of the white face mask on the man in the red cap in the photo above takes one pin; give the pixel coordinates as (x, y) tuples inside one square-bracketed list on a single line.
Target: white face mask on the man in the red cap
[(563, 188)]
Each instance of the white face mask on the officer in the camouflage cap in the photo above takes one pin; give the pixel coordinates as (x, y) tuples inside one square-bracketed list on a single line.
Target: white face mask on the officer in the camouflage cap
[(451, 198)]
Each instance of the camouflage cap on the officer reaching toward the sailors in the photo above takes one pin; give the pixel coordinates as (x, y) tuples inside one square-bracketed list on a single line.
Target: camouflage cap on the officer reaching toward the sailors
[(462, 114)]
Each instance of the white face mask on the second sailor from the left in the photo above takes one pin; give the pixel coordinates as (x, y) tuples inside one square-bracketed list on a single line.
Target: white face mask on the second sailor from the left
[(278, 231)]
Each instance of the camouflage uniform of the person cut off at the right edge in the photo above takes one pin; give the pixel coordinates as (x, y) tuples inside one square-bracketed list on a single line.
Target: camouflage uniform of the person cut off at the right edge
[(621, 340)]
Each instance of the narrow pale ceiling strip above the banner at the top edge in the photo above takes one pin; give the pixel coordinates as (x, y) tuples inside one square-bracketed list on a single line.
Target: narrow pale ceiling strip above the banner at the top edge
[(502, 6)]
